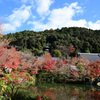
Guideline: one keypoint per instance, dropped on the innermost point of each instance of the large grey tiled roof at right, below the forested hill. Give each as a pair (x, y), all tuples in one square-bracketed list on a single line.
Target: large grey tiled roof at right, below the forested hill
[(90, 56)]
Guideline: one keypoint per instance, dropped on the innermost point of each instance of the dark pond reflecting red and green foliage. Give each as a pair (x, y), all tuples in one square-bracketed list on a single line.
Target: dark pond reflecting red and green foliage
[(69, 92)]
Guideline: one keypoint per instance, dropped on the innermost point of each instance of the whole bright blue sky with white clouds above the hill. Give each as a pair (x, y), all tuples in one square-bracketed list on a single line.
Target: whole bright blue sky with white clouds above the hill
[(38, 15)]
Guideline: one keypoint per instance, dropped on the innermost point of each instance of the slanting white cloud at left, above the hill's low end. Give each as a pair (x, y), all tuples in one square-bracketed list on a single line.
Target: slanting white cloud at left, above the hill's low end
[(18, 17)]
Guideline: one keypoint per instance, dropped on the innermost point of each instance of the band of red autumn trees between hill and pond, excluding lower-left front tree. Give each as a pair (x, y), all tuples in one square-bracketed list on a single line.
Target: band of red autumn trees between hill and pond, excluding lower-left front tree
[(14, 60)]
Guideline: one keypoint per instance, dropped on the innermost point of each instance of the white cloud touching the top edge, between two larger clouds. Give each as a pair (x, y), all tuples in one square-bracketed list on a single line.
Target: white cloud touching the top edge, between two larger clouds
[(43, 6)]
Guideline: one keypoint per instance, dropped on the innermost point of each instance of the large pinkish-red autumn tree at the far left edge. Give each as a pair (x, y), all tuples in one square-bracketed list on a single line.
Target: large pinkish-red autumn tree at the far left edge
[(9, 58)]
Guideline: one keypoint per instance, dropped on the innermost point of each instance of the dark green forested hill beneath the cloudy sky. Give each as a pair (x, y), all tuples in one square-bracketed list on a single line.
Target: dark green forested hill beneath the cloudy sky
[(84, 40)]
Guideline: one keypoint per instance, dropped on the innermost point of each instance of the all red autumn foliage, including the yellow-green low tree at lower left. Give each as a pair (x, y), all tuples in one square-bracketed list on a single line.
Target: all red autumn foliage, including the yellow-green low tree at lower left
[(20, 67)]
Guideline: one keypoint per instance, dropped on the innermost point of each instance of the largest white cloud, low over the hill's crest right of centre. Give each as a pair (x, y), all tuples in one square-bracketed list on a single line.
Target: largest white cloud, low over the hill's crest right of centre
[(62, 17)]
